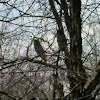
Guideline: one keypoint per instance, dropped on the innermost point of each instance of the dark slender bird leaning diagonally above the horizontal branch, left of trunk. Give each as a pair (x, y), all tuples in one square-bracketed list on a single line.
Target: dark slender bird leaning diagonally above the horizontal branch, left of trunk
[(39, 49)]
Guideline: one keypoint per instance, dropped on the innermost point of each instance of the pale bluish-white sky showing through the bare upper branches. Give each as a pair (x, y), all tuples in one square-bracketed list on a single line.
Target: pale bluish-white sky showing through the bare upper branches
[(36, 25)]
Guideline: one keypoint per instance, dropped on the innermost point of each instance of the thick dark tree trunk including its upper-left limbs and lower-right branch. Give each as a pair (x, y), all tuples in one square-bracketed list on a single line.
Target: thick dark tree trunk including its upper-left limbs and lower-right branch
[(76, 74)]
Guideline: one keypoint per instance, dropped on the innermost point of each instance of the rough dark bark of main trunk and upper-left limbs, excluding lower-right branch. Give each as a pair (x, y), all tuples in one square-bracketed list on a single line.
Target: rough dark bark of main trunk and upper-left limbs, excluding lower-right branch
[(76, 72)]
